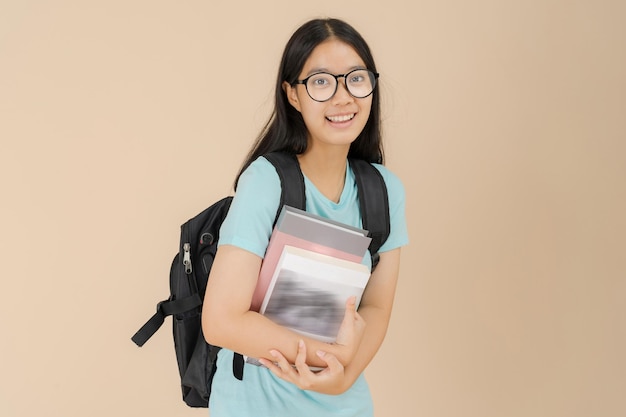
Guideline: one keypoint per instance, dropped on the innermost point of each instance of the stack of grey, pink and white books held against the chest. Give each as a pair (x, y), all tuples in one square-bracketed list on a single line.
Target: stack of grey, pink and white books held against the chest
[(311, 267)]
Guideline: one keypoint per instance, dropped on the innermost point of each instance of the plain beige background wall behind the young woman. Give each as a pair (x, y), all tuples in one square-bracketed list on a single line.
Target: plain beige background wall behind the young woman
[(505, 119)]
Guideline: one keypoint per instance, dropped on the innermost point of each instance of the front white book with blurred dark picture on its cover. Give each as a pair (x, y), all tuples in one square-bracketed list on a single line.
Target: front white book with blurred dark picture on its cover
[(308, 292)]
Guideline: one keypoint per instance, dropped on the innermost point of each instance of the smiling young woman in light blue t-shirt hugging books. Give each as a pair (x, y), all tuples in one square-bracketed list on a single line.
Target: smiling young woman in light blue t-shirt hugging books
[(327, 108)]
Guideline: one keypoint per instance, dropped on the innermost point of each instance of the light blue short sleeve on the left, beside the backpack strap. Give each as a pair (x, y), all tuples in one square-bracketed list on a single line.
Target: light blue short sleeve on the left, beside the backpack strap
[(249, 222)]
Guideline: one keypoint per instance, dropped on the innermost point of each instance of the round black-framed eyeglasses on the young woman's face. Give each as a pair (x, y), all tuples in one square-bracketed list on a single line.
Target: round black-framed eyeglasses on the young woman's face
[(322, 86)]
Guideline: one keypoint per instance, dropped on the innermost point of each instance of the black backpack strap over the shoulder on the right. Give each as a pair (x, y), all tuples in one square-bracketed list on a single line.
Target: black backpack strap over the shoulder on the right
[(374, 203)]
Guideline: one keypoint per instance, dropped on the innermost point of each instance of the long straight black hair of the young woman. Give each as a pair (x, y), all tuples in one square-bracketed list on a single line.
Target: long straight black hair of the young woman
[(285, 130)]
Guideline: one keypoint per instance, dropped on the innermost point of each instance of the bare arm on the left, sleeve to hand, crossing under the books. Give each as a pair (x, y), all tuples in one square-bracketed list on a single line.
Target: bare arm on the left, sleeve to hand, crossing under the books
[(228, 322)]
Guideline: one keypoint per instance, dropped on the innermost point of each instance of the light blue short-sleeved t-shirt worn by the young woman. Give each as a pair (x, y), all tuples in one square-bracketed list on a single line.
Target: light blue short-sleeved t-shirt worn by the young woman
[(248, 225)]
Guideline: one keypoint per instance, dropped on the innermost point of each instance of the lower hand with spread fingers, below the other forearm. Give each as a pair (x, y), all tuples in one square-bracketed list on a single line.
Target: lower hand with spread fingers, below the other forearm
[(330, 380)]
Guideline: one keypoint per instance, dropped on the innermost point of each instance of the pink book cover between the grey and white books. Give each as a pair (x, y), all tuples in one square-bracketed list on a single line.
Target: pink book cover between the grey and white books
[(275, 248)]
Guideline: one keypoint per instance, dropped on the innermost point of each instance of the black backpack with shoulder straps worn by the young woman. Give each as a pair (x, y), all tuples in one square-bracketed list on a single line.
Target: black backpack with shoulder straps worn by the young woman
[(191, 265)]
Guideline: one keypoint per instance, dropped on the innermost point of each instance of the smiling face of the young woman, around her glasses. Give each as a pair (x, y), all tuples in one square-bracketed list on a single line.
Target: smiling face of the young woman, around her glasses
[(341, 119)]
